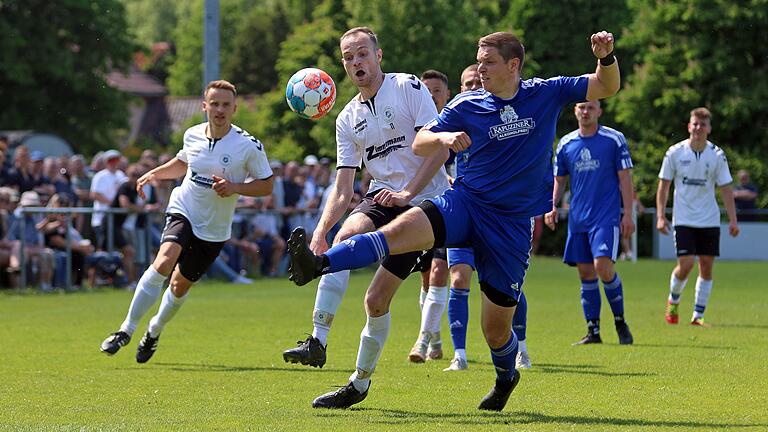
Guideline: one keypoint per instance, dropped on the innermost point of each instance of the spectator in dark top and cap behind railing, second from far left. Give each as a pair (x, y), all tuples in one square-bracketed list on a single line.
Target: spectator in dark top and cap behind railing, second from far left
[(55, 232)]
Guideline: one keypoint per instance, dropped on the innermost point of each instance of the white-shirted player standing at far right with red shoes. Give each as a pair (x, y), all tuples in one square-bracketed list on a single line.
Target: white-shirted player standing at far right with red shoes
[(696, 166)]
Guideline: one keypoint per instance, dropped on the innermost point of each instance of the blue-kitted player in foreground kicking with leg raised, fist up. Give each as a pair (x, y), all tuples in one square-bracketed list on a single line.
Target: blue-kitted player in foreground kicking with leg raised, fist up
[(508, 129)]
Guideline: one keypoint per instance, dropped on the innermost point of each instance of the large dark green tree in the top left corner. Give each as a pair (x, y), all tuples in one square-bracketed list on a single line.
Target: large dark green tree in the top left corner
[(54, 58)]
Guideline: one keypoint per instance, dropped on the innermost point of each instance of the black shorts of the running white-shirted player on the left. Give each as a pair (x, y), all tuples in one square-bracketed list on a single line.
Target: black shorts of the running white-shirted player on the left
[(196, 255)]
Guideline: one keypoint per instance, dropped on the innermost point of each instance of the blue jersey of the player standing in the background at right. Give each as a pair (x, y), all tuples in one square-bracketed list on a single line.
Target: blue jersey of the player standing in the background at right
[(593, 164)]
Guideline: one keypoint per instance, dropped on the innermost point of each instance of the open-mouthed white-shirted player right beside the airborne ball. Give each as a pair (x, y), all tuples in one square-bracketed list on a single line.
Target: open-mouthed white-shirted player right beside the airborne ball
[(377, 128)]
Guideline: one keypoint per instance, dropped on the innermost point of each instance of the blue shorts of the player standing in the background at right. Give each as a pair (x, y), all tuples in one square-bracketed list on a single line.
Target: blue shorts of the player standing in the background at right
[(585, 247)]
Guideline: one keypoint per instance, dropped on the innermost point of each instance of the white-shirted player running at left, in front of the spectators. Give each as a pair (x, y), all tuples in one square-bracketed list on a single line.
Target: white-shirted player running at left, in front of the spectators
[(221, 162)]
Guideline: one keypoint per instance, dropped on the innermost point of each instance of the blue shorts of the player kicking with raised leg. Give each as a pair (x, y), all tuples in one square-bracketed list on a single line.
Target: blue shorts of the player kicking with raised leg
[(501, 244)]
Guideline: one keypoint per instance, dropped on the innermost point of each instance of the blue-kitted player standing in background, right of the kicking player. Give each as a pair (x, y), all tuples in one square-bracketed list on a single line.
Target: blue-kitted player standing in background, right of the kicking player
[(598, 162)]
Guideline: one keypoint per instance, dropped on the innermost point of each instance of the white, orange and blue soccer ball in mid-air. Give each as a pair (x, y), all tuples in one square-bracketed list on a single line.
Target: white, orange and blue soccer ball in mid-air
[(310, 93)]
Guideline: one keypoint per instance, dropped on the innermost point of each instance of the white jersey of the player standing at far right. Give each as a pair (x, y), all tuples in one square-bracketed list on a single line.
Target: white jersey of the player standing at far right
[(695, 176)]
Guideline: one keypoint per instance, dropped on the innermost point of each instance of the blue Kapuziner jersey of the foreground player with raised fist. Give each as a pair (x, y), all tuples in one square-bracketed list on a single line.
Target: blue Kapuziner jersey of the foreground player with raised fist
[(508, 167)]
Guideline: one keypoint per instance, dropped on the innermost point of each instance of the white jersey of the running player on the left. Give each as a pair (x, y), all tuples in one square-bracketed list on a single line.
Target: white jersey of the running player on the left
[(236, 157)]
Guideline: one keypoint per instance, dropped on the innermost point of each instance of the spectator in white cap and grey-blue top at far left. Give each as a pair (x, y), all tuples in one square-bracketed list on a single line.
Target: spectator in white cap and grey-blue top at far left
[(39, 258)]
